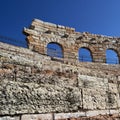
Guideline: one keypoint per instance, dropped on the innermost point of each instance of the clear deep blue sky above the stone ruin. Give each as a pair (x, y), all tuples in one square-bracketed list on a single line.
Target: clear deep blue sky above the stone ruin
[(94, 16)]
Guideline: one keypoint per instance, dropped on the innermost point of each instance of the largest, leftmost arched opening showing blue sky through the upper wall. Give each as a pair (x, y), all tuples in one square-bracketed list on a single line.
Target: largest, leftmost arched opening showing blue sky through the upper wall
[(54, 50)]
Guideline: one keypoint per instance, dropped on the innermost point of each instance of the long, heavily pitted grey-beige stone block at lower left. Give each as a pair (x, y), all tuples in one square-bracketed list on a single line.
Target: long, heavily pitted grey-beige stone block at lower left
[(20, 98)]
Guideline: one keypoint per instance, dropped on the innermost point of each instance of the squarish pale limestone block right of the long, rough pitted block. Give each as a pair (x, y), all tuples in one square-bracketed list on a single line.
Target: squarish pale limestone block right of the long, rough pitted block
[(94, 98)]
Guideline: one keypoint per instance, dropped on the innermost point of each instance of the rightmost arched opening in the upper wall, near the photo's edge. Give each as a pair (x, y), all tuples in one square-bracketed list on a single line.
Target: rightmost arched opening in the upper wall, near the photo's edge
[(111, 57)]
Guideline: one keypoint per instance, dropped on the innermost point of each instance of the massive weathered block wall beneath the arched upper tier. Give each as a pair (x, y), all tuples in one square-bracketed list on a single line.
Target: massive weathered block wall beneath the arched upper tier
[(31, 83)]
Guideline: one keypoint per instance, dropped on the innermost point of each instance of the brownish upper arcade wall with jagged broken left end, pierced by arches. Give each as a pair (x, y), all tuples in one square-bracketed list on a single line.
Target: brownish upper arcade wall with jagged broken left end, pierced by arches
[(40, 34)]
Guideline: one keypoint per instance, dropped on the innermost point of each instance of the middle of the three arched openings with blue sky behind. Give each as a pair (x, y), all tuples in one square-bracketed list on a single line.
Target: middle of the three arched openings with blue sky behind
[(85, 55)]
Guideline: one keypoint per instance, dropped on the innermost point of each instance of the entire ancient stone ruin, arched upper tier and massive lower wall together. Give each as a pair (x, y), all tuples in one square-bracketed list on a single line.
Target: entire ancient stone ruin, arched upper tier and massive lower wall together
[(35, 85)]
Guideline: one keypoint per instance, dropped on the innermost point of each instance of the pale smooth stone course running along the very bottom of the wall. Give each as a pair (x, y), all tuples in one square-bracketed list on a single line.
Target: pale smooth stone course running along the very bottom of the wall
[(66, 116)]
